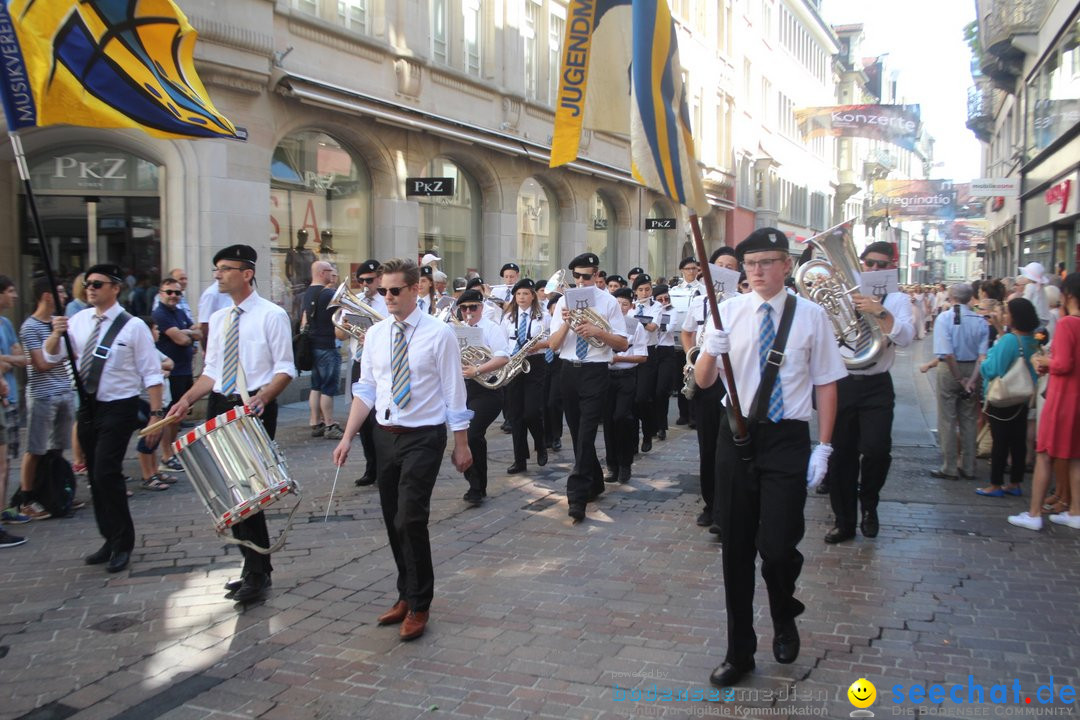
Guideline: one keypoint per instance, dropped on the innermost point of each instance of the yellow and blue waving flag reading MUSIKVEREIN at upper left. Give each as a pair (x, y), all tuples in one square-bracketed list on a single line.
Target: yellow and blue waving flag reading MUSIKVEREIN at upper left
[(104, 64)]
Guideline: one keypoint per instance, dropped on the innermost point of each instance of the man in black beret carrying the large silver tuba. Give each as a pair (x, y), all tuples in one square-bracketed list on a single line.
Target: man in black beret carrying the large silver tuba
[(866, 399)]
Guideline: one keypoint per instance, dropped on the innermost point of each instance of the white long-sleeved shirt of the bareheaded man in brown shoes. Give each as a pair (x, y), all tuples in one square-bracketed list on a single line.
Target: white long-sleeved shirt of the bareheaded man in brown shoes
[(438, 390)]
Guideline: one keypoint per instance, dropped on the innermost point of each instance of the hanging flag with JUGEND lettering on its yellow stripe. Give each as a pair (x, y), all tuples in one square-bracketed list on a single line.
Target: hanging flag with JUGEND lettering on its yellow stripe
[(644, 98)]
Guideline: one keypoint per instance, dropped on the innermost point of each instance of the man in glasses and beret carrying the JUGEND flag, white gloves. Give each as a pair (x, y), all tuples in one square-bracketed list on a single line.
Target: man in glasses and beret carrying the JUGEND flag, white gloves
[(762, 499)]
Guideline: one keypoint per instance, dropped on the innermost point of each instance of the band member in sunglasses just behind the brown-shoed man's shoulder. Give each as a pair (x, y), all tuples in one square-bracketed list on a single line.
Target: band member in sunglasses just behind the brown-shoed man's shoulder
[(484, 402)]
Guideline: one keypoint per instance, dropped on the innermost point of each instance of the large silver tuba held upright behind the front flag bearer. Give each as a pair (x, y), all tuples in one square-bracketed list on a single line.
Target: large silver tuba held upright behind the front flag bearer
[(830, 283)]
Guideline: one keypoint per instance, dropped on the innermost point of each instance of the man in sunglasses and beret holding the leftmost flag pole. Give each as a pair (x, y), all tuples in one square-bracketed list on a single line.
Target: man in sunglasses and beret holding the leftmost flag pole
[(115, 366)]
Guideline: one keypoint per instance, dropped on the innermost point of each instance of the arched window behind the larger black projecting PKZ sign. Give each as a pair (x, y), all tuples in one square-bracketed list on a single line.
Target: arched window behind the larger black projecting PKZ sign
[(451, 225)]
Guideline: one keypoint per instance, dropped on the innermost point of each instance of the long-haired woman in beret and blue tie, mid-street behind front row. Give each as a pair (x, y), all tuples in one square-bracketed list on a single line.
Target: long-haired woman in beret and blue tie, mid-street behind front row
[(524, 398)]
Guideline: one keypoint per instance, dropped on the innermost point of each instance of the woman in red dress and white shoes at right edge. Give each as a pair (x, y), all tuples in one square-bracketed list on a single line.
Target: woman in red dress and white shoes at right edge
[(1060, 424)]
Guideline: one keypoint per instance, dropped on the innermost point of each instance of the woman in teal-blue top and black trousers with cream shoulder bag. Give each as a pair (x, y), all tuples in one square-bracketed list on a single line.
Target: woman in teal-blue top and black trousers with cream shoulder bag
[(1009, 425)]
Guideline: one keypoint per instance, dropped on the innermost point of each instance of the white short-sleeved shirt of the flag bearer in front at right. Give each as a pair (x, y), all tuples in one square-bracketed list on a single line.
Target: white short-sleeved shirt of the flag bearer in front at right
[(811, 357)]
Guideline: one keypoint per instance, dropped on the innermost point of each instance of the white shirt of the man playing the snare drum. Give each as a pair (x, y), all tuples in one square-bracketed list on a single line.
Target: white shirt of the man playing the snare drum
[(266, 343)]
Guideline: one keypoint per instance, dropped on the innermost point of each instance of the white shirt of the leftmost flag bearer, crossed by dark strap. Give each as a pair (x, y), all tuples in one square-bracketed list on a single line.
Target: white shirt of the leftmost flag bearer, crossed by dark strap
[(133, 360)]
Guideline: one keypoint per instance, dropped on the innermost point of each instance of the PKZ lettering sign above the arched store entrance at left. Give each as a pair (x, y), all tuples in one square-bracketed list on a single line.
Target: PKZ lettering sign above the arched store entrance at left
[(97, 170)]
